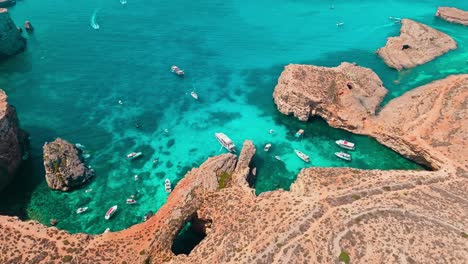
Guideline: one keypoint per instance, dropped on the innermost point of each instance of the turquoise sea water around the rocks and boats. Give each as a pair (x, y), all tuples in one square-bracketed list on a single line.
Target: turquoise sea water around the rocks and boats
[(67, 84)]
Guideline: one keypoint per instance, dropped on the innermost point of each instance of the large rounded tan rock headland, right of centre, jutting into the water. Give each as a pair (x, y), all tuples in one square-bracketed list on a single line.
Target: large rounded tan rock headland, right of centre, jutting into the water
[(336, 94)]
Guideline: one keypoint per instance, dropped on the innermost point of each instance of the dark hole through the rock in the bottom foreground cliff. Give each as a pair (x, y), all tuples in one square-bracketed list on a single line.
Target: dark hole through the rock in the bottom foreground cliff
[(190, 235)]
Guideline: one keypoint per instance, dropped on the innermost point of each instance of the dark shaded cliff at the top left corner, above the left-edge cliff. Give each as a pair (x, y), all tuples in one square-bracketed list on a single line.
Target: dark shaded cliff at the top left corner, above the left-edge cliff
[(11, 41)]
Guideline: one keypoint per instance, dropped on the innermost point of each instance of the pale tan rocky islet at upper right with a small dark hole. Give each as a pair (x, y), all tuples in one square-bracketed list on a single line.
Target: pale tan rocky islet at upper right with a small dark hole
[(416, 45)]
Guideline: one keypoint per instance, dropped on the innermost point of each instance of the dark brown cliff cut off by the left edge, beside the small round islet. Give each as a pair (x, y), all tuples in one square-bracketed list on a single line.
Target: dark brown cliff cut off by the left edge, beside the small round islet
[(13, 141)]
